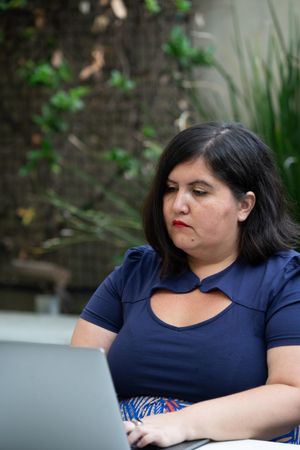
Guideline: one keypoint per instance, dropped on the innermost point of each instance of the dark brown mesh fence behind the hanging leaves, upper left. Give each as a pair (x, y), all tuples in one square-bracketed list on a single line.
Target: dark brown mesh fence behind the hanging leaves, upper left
[(78, 30)]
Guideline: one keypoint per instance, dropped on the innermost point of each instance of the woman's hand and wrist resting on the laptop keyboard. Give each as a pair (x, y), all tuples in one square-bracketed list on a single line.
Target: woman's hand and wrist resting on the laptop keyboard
[(161, 429)]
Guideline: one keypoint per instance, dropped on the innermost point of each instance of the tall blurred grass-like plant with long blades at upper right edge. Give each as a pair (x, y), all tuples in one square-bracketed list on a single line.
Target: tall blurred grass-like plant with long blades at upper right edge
[(274, 109)]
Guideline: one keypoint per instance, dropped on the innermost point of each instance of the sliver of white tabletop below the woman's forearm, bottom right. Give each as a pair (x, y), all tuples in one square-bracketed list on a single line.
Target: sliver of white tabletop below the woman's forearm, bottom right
[(247, 444)]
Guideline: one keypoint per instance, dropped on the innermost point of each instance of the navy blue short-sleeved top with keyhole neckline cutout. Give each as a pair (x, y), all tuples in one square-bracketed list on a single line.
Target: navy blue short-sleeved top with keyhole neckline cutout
[(219, 356)]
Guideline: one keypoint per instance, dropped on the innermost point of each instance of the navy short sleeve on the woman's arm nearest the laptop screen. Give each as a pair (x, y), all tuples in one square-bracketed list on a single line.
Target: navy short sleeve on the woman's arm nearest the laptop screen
[(105, 307)]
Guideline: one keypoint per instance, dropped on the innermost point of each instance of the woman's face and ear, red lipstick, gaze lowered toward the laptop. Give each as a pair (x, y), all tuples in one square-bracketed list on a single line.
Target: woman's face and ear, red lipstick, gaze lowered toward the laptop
[(201, 214)]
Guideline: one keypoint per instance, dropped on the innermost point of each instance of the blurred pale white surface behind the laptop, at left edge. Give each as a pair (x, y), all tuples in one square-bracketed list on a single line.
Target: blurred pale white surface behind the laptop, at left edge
[(34, 327)]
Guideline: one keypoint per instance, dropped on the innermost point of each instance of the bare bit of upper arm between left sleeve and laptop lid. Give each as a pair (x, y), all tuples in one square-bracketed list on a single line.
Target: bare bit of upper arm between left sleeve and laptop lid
[(86, 334)]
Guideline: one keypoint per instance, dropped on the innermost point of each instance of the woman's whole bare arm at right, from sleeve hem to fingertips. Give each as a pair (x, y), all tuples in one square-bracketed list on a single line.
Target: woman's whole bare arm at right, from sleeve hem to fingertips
[(261, 413)]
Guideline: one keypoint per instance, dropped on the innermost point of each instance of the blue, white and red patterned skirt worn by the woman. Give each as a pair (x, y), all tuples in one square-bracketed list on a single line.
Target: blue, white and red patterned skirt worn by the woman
[(139, 407)]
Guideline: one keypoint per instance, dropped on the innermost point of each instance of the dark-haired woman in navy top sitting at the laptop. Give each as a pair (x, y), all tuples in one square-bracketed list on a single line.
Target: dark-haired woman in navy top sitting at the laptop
[(204, 322)]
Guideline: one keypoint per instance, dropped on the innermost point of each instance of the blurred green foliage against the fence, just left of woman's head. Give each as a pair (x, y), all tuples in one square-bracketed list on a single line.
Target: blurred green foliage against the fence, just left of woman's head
[(121, 225)]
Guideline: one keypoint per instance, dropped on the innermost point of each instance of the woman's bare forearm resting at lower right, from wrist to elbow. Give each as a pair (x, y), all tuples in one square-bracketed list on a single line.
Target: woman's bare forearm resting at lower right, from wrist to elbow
[(261, 413)]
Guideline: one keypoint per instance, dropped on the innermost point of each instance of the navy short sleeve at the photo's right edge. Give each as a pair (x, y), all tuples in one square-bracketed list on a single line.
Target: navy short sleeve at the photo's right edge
[(283, 314)]
